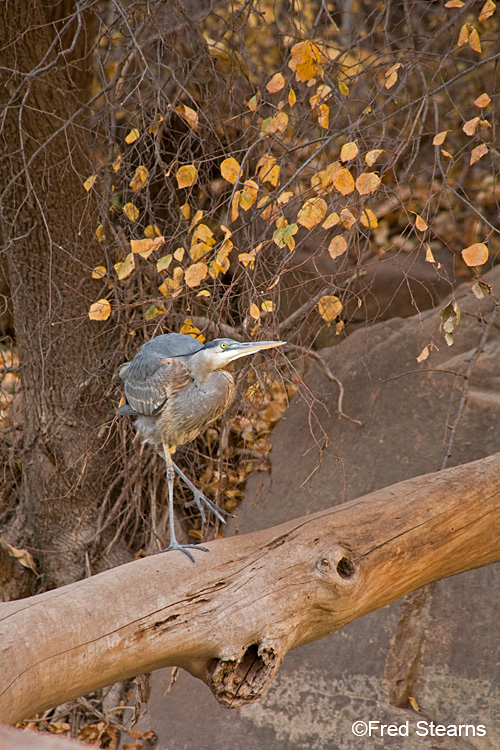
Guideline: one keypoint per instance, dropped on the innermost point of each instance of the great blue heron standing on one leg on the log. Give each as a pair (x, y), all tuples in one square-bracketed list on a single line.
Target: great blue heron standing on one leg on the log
[(175, 387)]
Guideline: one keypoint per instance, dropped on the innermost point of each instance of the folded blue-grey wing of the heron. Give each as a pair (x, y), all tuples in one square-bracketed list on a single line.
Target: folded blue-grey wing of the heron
[(151, 382)]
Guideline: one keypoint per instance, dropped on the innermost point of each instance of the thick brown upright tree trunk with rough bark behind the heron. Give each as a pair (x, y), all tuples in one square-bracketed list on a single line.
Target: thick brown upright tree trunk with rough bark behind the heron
[(48, 223)]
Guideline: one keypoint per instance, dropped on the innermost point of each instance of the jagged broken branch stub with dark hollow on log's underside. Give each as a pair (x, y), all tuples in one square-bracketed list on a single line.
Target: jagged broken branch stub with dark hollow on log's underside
[(235, 682)]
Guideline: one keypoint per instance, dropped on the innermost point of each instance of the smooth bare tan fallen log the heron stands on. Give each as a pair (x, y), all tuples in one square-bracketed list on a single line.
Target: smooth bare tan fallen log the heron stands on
[(231, 618)]
